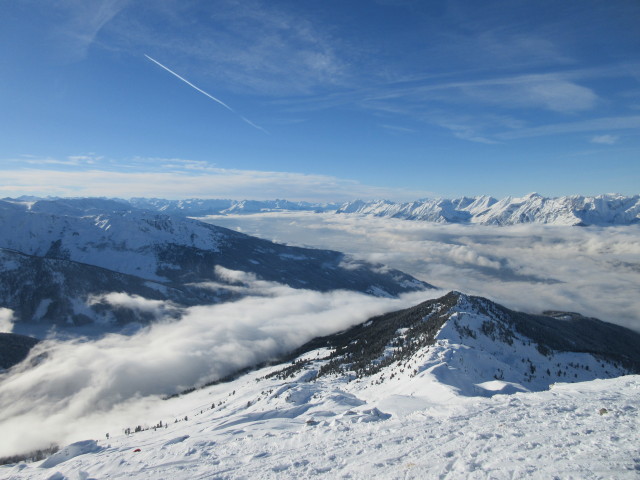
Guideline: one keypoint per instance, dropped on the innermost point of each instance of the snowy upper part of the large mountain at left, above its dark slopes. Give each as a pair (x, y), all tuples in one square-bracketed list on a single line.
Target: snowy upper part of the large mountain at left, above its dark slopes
[(83, 230)]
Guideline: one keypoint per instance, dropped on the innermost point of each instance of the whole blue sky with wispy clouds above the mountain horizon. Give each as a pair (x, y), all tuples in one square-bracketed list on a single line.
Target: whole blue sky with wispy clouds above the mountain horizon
[(327, 100)]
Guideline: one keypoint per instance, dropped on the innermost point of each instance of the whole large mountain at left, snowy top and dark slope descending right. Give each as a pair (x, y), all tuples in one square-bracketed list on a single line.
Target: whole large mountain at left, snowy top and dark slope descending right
[(57, 256)]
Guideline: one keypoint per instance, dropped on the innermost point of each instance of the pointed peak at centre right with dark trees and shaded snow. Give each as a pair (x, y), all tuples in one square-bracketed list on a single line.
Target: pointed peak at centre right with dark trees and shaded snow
[(466, 341)]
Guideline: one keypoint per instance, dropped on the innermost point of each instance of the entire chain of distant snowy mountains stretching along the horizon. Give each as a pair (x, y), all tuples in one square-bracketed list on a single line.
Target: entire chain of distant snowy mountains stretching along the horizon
[(601, 210)]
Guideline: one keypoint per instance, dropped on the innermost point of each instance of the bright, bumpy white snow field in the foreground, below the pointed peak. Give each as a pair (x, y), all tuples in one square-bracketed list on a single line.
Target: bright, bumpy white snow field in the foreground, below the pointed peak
[(306, 430)]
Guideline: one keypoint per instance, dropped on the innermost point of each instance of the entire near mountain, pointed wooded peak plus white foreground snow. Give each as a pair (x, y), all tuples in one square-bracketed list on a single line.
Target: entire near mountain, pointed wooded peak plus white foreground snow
[(452, 388)]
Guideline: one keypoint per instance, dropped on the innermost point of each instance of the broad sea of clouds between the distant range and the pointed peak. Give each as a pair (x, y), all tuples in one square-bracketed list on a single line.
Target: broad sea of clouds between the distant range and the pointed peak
[(594, 271)]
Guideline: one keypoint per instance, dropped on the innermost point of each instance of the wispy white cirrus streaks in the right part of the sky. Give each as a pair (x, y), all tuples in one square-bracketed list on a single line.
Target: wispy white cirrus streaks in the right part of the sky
[(518, 103)]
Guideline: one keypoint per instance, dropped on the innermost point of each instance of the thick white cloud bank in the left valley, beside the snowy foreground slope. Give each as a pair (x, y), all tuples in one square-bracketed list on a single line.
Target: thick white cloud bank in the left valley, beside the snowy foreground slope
[(73, 389)]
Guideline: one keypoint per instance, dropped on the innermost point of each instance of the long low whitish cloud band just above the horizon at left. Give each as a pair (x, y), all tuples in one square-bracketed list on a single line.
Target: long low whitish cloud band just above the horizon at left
[(188, 181)]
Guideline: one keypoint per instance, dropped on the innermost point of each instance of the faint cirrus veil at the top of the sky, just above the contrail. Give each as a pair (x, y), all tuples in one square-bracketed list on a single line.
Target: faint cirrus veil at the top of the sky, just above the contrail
[(252, 47)]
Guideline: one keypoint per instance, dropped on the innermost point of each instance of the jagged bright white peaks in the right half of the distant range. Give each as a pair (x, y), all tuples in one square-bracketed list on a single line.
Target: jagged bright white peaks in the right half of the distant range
[(533, 208)]
